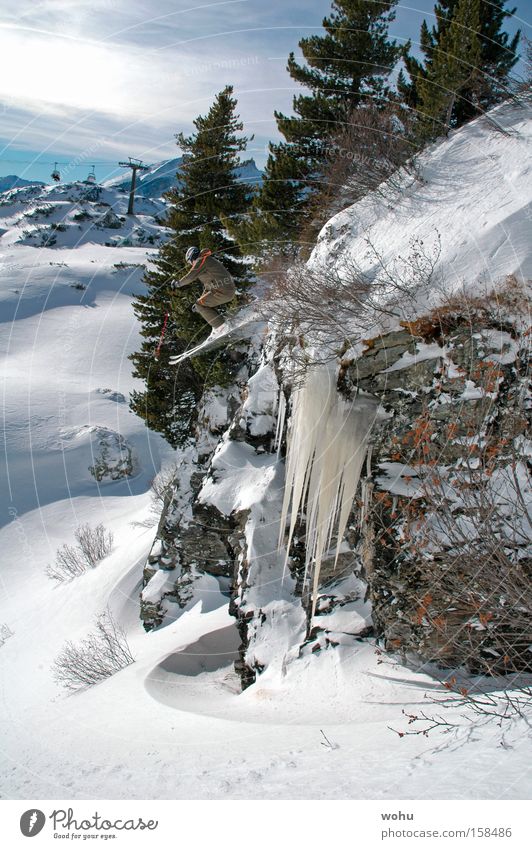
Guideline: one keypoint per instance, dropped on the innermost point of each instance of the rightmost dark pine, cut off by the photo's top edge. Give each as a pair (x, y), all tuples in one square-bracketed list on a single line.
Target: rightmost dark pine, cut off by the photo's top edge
[(498, 55)]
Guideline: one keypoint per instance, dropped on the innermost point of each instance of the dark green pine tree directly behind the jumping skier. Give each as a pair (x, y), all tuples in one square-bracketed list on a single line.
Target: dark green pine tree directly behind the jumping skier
[(208, 193)]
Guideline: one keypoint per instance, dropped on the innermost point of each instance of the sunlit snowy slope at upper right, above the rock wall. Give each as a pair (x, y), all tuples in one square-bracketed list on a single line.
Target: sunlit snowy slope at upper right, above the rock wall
[(469, 208)]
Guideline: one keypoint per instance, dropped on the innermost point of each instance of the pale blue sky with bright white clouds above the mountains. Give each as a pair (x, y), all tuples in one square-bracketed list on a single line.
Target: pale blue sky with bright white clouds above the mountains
[(86, 83)]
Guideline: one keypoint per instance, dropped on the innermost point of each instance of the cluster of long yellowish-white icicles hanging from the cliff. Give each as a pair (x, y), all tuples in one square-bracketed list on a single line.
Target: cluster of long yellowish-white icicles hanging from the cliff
[(327, 444)]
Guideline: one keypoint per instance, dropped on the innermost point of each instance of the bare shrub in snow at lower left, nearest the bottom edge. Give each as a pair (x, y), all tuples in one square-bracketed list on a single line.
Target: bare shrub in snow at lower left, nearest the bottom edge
[(101, 654)]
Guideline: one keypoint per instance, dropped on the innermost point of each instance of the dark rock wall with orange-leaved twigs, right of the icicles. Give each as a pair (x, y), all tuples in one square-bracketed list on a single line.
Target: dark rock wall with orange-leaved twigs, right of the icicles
[(445, 535)]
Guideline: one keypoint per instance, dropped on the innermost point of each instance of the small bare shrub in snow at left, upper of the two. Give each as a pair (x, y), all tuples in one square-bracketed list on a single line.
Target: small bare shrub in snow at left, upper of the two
[(71, 561)]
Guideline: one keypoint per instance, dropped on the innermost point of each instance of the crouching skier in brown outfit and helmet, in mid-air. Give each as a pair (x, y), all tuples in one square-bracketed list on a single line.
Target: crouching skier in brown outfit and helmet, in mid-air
[(218, 285)]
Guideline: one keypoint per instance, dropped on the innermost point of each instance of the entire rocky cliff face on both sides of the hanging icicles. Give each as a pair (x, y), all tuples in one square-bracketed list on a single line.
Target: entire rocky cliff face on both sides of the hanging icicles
[(433, 562)]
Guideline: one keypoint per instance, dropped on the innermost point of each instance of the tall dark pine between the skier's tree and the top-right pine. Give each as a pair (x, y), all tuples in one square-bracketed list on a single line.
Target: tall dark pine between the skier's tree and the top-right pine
[(345, 67)]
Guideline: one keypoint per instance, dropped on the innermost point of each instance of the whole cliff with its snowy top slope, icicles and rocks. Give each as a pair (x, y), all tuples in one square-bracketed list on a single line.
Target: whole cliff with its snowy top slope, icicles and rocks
[(452, 376)]
